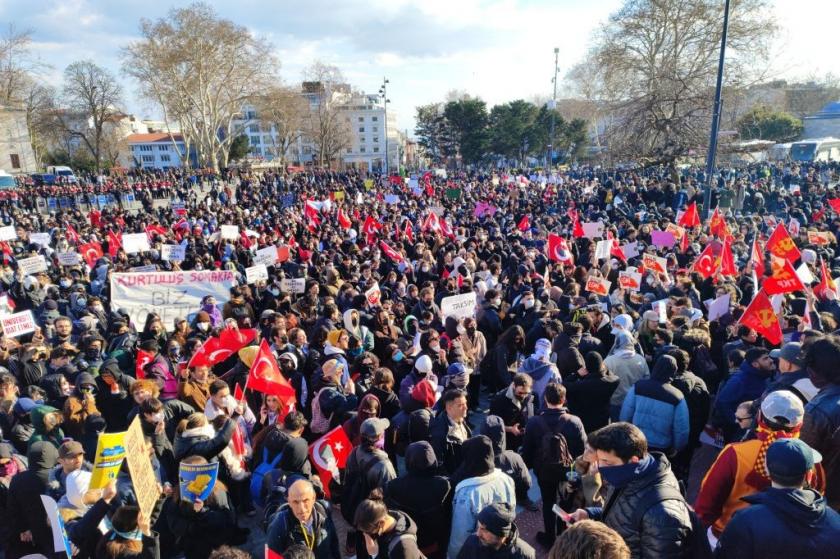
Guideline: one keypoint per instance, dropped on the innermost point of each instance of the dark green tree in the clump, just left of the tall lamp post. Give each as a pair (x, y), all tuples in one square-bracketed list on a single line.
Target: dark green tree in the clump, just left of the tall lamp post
[(512, 132)]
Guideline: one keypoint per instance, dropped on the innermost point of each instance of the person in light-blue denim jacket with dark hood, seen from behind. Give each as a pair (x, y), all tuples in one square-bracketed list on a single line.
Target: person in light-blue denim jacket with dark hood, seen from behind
[(474, 493)]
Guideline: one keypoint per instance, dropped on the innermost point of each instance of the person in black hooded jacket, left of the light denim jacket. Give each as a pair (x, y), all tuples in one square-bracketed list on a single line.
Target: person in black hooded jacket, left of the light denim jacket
[(425, 495)]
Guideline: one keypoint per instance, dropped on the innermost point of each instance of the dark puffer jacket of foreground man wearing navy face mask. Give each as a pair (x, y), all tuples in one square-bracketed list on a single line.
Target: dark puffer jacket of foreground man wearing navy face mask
[(664, 527)]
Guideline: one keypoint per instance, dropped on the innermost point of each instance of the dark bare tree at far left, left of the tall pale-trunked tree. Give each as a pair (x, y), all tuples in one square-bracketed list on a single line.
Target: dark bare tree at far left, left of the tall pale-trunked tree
[(91, 95)]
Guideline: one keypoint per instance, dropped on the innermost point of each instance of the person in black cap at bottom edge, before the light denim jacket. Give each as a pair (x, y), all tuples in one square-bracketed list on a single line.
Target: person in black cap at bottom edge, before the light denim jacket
[(497, 536)]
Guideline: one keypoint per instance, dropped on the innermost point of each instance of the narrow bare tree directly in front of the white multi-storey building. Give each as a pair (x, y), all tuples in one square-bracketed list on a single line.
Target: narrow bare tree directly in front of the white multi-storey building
[(326, 124)]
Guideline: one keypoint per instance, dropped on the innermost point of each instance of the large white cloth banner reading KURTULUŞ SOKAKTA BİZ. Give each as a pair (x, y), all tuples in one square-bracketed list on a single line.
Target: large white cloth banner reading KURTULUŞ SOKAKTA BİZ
[(169, 294)]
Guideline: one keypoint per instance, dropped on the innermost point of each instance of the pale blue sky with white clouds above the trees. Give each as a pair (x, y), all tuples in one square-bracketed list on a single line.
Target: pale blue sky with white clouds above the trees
[(499, 50)]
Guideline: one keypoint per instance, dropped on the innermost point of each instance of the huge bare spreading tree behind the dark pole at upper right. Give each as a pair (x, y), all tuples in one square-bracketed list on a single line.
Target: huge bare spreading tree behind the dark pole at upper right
[(653, 68)]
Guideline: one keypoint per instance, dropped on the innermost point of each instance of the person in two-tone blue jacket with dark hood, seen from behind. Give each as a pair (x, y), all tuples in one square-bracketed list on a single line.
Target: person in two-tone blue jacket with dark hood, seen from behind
[(658, 408)]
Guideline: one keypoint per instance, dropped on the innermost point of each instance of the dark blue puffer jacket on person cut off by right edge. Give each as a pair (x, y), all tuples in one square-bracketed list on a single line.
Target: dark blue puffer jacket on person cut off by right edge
[(821, 430)]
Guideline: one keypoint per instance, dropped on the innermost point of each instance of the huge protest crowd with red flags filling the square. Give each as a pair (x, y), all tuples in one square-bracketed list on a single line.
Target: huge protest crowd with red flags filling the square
[(616, 352)]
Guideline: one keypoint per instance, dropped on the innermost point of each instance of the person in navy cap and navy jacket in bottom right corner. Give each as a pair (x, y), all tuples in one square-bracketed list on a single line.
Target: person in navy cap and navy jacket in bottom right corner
[(788, 519)]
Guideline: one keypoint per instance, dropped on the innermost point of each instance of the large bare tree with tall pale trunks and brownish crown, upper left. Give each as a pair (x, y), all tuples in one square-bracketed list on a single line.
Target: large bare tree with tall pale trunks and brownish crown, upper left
[(201, 70)]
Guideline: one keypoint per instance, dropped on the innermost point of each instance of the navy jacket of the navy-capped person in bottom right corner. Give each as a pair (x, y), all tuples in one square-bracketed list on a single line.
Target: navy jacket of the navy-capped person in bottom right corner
[(782, 524)]
